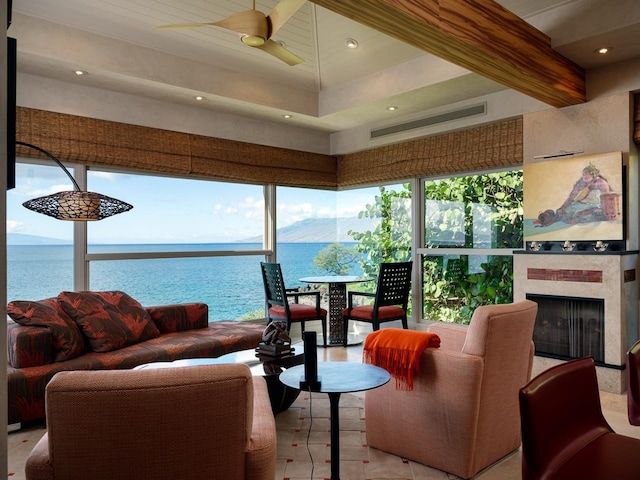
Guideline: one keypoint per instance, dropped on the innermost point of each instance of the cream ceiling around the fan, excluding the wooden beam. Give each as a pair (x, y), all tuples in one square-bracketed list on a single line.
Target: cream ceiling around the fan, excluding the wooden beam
[(336, 88)]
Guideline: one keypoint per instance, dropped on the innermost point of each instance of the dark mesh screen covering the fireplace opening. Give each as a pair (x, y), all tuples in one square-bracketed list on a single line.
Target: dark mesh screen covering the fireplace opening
[(569, 327)]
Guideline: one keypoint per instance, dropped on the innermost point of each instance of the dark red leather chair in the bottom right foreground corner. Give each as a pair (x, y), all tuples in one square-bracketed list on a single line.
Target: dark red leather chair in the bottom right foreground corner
[(564, 434)]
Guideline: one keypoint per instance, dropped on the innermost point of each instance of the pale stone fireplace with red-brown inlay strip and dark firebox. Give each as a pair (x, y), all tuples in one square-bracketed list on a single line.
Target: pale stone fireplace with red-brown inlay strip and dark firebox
[(598, 316)]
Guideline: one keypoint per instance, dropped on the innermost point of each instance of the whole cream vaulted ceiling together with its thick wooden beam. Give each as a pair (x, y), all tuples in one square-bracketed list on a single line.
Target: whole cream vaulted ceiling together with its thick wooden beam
[(415, 55)]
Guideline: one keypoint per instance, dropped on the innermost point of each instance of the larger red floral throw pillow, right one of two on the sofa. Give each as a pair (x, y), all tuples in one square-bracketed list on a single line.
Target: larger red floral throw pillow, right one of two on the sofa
[(109, 320)]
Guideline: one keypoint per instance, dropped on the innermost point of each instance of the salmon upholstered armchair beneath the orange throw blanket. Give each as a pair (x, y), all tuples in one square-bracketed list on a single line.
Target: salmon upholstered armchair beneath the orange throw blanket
[(463, 413)]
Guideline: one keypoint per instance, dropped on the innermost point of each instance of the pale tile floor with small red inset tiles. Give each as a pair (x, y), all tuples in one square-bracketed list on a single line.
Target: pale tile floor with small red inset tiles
[(358, 462)]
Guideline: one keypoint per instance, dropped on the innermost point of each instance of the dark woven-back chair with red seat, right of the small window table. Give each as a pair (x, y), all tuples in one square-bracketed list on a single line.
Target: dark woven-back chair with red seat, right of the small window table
[(390, 299)]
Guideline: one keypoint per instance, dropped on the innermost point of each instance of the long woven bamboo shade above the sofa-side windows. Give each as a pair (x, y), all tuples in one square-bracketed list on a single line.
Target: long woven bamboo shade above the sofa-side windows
[(111, 144)]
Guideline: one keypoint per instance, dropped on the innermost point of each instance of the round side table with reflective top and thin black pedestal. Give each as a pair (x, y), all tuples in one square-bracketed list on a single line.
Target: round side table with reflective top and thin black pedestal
[(337, 378)]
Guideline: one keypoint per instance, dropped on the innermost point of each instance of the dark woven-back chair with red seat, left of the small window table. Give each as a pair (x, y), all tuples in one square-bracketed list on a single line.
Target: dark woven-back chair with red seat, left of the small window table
[(278, 306)]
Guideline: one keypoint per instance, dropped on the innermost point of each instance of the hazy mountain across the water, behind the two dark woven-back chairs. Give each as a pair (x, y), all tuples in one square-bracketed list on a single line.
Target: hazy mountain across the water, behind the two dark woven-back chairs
[(320, 230)]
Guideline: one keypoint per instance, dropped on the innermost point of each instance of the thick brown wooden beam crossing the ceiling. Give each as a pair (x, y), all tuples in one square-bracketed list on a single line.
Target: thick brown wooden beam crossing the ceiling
[(479, 35)]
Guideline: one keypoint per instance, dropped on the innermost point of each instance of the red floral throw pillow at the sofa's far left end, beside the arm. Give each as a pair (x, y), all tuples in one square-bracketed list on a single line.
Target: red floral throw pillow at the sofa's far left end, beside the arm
[(67, 339)]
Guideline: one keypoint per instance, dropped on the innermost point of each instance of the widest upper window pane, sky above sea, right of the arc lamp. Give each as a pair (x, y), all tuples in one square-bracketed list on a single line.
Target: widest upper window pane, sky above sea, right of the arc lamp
[(176, 211)]
